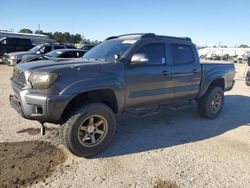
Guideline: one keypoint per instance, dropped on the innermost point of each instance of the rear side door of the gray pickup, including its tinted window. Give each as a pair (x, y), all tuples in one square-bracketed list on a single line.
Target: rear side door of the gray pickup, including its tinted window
[(185, 71)]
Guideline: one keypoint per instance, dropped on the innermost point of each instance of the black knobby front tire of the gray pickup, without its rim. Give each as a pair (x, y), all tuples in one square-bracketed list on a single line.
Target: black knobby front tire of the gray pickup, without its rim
[(70, 129)]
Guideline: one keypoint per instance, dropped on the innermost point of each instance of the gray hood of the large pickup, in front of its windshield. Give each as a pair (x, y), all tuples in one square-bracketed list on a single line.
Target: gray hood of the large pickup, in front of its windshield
[(56, 64)]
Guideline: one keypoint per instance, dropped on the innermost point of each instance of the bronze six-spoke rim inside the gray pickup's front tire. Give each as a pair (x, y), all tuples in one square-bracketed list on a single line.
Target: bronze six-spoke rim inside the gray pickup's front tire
[(92, 131)]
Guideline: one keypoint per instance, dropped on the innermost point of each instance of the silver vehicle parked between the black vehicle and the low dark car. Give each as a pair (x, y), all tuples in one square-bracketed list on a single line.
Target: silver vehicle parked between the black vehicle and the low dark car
[(16, 57)]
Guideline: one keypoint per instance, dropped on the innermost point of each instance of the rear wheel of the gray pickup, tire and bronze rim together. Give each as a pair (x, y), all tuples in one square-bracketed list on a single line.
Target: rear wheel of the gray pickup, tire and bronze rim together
[(211, 104)]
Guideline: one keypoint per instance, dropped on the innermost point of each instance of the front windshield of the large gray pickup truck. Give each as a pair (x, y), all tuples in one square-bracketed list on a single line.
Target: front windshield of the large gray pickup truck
[(108, 49)]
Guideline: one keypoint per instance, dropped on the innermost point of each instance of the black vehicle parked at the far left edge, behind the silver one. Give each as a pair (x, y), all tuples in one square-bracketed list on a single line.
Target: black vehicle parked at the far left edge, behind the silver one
[(13, 44)]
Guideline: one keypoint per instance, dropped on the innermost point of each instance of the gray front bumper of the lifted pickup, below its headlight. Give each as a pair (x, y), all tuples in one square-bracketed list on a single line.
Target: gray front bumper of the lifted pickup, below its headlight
[(37, 106)]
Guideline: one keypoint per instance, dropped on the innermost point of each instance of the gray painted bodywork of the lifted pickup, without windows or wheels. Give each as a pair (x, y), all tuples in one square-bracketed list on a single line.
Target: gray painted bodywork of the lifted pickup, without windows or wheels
[(133, 85)]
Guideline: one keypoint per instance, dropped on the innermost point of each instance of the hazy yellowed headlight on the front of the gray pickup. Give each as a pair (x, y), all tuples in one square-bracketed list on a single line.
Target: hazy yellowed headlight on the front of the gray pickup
[(40, 80)]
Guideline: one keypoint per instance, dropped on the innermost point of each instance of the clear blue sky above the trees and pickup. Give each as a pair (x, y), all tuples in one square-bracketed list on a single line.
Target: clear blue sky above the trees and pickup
[(207, 22)]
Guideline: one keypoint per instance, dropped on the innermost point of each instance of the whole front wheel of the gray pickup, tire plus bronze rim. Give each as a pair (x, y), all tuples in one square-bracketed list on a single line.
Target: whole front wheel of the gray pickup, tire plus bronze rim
[(89, 130)]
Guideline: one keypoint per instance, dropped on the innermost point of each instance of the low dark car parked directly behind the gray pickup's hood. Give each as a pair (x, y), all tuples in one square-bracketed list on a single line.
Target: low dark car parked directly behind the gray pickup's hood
[(61, 53)]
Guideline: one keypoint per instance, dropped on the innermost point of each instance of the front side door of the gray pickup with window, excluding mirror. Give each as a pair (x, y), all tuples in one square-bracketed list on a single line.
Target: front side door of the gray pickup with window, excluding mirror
[(148, 83)]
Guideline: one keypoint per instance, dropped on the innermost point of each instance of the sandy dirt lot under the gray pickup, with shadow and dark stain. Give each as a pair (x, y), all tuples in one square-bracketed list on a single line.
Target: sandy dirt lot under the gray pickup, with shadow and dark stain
[(171, 149)]
